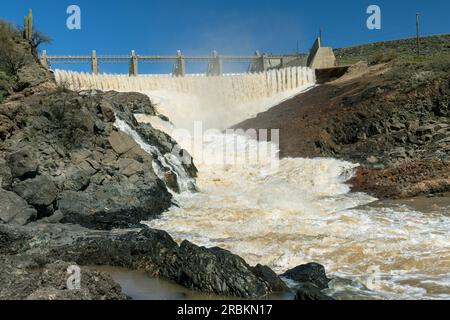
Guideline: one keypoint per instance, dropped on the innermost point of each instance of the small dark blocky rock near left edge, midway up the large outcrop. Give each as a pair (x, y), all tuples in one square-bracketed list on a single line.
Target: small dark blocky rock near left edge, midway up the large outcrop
[(23, 162)]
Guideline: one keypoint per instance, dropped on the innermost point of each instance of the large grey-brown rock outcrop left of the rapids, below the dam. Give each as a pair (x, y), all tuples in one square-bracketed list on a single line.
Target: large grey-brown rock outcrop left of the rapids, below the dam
[(67, 155)]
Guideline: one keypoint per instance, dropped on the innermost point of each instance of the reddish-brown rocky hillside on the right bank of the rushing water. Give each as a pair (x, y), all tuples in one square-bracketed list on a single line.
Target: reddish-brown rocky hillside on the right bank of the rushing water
[(382, 116)]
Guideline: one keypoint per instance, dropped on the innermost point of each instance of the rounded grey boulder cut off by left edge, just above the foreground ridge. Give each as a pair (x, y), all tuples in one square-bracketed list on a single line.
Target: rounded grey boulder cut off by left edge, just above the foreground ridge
[(15, 210)]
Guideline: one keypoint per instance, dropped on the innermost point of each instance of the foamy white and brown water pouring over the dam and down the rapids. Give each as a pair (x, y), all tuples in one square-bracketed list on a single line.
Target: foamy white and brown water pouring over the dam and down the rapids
[(290, 211)]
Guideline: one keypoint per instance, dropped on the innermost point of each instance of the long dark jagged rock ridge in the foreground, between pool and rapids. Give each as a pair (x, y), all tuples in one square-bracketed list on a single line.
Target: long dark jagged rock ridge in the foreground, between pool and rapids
[(208, 270)]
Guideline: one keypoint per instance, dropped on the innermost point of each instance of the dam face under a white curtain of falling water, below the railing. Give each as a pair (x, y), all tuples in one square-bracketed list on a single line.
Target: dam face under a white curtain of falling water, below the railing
[(218, 101)]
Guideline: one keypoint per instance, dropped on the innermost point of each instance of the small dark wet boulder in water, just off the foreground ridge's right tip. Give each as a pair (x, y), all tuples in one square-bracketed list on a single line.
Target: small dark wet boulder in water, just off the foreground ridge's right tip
[(309, 273)]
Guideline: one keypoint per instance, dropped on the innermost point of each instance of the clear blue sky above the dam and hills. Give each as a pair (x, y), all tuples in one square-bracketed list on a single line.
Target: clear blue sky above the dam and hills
[(229, 26)]
